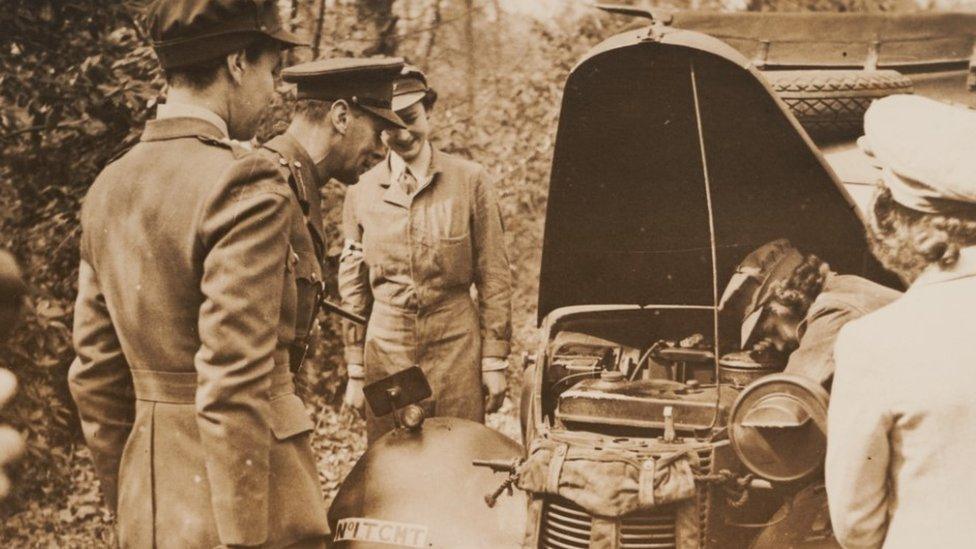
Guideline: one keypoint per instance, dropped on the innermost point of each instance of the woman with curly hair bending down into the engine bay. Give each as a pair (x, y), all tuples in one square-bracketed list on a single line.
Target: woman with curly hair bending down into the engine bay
[(795, 306)]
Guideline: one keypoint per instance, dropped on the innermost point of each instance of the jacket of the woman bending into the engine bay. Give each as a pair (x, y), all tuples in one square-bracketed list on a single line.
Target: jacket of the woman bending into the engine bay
[(843, 299)]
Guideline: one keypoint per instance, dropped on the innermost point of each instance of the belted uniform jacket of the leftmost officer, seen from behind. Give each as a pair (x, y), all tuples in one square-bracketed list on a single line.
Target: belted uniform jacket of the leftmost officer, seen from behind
[(186, 306)]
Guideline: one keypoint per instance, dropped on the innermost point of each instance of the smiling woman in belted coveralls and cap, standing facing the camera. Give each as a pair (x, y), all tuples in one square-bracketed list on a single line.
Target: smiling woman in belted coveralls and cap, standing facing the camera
[(420, 229)]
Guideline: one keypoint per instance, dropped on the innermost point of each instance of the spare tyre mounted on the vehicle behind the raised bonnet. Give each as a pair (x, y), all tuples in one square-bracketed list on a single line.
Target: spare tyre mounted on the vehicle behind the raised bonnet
[(830, 104)]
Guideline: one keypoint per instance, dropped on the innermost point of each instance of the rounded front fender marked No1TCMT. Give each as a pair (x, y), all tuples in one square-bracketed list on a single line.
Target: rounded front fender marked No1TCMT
[(420, 489)]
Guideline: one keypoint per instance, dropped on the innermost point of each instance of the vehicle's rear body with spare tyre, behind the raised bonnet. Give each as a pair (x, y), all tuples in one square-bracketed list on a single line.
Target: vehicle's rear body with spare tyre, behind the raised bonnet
[(930, 54)]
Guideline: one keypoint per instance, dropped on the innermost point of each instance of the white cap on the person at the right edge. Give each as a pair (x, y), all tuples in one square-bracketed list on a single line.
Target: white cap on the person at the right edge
[(926, 149)]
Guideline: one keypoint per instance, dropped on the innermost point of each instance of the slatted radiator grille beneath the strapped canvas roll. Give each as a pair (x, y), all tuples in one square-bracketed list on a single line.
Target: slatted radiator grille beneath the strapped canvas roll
[(565, 525)]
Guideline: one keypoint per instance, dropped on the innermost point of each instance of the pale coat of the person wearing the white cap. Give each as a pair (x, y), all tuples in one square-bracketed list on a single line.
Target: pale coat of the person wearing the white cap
[(902, 418)]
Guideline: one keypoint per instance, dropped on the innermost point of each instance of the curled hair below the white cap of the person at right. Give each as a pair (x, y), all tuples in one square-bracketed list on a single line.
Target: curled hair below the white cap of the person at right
[(907, 241)]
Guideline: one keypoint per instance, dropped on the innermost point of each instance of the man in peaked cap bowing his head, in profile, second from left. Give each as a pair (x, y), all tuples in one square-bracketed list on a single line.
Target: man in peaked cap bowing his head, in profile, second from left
[(343, 105)]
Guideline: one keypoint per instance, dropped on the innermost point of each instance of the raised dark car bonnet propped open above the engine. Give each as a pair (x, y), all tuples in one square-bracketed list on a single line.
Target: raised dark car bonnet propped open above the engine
[(673, 160)]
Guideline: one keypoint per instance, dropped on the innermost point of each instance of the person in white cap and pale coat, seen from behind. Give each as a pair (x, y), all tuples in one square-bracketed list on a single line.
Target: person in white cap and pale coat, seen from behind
[(902, 418)]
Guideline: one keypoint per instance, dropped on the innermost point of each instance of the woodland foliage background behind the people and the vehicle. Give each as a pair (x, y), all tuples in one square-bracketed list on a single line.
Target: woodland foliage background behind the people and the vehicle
[(78, 80)]
